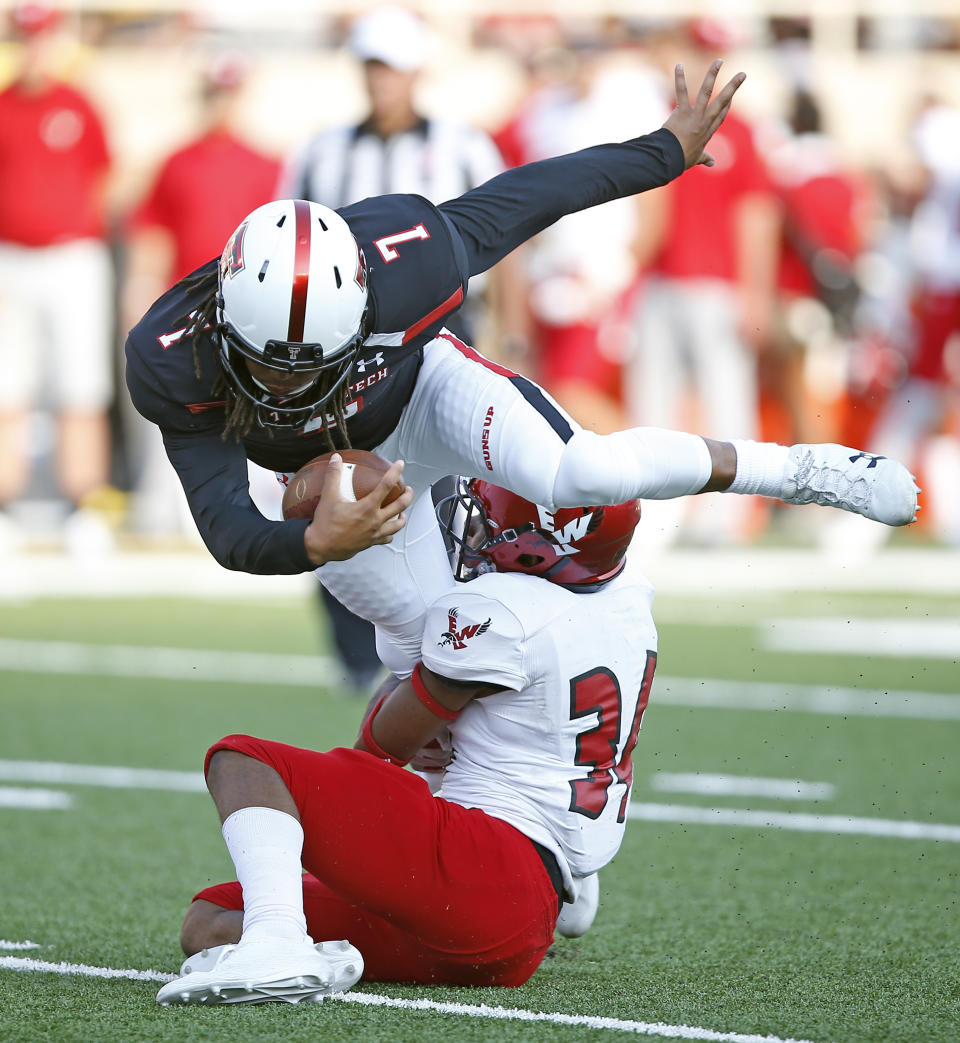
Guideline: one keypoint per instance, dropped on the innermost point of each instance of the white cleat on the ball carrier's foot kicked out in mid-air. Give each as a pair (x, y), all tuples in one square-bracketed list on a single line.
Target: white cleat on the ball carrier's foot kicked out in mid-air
[(836, 476)]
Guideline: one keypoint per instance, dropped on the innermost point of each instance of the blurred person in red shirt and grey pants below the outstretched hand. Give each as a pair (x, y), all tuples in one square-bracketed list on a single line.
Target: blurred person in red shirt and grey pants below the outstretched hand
[(710, 244)]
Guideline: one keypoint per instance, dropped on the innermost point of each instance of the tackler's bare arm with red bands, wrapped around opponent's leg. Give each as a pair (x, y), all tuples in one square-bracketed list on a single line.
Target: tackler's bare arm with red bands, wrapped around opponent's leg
[(400, 724)]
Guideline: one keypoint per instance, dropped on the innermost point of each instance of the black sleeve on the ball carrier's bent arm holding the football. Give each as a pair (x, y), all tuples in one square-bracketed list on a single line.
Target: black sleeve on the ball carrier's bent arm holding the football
[(214, 477)]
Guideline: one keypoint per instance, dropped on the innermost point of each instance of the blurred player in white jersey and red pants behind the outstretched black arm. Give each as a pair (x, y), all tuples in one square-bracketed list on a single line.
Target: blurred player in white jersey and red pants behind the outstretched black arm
[(582, 270)]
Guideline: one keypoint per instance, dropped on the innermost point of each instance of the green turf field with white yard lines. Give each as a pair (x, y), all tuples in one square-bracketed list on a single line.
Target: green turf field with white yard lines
[(735, 926)]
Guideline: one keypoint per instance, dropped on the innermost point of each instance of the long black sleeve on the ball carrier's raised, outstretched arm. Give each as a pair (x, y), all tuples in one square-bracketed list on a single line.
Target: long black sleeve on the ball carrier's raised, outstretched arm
[(496, 217)]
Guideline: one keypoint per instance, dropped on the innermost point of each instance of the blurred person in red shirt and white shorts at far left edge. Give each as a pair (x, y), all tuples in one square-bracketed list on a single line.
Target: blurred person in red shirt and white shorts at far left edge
[(56, 282)]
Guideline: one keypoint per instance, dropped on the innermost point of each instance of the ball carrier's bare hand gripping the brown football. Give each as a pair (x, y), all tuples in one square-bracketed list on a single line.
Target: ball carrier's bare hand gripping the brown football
[(343, 528)]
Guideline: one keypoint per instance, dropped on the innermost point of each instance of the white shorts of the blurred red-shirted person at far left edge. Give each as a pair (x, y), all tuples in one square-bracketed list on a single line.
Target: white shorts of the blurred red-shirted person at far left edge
[(56, 323)]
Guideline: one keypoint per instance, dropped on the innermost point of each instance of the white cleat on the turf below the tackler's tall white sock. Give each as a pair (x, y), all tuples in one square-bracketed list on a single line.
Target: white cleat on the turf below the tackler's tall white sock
[(266, 973)]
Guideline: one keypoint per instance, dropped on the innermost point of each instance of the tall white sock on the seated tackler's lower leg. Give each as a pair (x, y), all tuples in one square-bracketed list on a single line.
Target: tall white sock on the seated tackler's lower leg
[(267, 847)]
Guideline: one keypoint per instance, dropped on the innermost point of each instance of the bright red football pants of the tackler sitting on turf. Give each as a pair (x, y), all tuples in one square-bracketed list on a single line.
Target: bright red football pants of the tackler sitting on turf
[(428, 891)]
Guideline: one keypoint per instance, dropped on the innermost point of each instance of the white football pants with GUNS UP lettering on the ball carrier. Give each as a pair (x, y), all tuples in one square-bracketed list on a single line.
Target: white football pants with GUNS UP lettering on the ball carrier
[(467, 419)]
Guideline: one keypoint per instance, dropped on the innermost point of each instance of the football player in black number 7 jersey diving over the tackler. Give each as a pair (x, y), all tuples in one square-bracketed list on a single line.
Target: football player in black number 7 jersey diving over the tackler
[(319, 330)]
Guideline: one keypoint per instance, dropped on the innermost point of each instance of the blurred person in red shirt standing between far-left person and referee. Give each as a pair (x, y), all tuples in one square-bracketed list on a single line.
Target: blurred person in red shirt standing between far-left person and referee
[(197, 198)]
